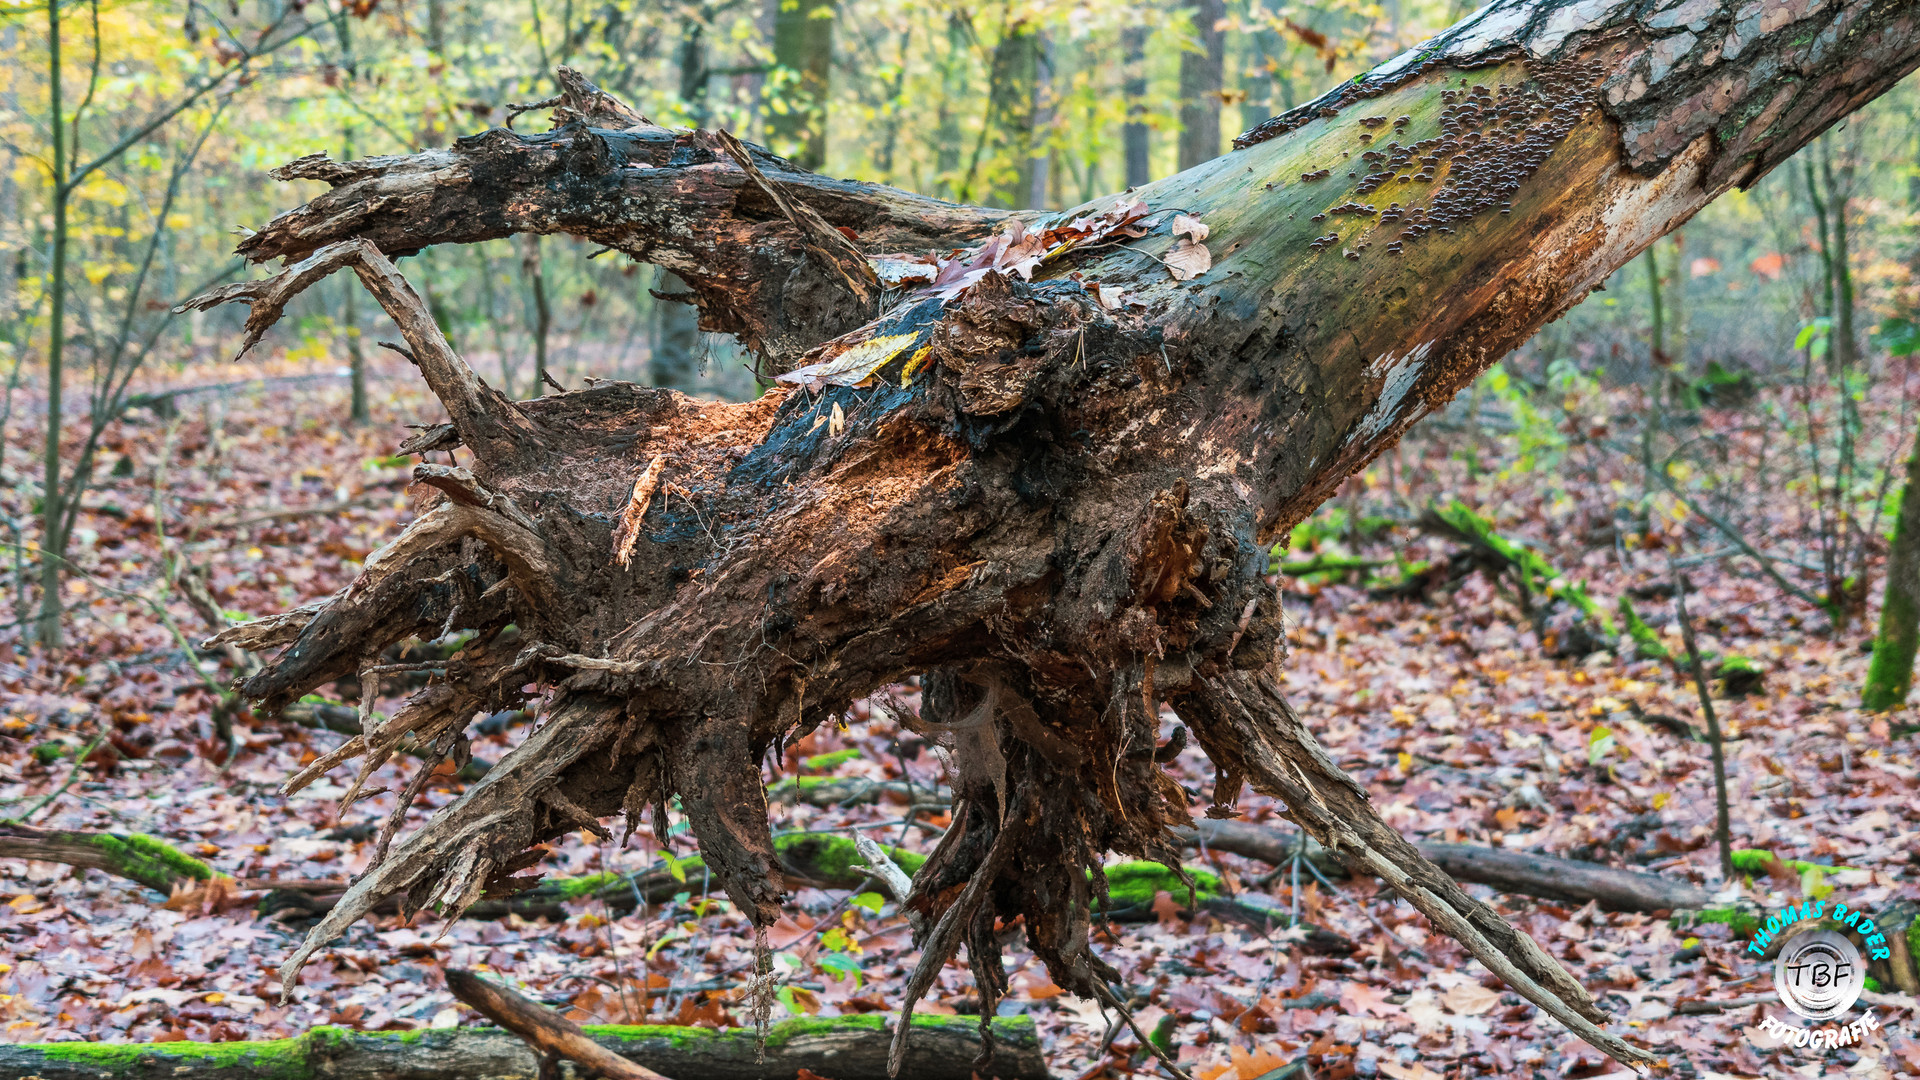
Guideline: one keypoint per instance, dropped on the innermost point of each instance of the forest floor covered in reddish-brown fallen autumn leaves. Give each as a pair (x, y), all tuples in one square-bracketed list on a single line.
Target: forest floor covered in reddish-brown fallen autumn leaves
[(1443, 704)]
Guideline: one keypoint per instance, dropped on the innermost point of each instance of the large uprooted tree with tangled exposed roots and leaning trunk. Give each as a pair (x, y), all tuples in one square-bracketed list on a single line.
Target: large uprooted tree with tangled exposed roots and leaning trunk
[(1061, 501)]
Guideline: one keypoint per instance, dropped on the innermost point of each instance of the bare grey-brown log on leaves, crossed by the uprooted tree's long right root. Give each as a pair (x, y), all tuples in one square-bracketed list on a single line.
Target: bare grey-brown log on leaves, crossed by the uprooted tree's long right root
[(1547, 877)]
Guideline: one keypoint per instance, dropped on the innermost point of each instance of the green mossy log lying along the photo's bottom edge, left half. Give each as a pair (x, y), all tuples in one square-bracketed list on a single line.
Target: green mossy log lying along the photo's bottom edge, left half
[(844, 1048)]
